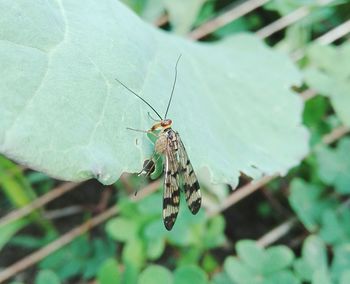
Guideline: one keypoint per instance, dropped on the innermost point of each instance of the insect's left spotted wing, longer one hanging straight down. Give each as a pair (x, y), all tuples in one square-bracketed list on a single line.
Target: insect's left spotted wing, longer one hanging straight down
[(171, 198)]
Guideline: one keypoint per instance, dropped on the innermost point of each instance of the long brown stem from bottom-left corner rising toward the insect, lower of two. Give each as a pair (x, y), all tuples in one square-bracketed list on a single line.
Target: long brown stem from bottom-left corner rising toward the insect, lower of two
[(65, 239)]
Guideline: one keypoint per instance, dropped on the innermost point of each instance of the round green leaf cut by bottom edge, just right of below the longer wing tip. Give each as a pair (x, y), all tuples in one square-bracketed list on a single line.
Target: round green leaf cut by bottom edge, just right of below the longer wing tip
[(190, 274)]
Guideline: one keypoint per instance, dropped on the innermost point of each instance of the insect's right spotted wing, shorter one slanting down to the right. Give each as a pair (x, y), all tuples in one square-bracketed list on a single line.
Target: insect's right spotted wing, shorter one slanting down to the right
[(189, 179)]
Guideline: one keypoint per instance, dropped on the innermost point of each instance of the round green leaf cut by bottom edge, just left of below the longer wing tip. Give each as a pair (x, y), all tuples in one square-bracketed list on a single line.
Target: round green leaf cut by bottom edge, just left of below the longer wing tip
[(155, 274)]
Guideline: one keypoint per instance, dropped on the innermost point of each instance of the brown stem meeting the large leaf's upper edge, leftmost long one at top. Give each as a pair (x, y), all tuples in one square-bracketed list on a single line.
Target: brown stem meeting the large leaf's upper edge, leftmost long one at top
[(225, 18)]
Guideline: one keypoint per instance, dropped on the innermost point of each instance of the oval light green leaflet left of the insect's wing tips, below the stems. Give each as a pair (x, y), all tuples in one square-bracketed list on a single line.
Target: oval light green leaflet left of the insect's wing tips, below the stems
[(122, 229)]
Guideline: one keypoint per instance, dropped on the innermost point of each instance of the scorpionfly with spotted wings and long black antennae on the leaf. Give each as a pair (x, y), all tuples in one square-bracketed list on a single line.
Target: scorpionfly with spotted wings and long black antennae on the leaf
[(178, 170)]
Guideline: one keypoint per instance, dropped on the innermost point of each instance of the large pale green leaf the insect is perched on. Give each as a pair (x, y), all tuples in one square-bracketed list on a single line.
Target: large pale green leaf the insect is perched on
[(63, 113)]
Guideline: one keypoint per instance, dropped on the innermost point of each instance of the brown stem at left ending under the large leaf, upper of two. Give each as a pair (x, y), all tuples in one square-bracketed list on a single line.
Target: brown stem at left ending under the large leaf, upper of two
[(39, 202)]
